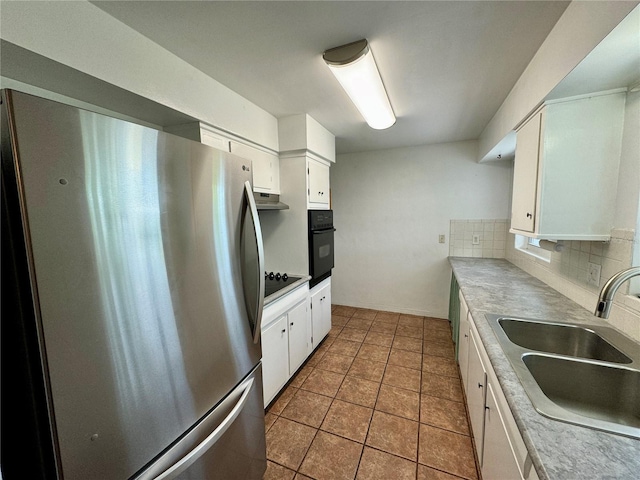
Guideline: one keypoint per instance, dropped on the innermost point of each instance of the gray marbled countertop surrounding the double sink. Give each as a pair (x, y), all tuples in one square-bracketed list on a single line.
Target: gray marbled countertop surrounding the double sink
[(559, 451)]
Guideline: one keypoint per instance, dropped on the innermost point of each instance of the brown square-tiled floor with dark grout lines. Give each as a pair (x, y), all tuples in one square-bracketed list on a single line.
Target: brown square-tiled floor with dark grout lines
[(379, 399)]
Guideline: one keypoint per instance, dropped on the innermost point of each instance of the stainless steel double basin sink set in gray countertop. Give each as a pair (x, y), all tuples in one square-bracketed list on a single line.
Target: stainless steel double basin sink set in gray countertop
[(587, 375)]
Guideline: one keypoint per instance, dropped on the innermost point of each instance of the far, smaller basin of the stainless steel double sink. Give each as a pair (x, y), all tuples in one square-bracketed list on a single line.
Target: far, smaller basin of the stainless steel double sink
[(563, 339)]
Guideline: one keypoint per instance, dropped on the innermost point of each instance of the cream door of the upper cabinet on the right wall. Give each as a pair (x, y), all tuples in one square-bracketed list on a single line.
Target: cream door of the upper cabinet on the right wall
[(525, 175)]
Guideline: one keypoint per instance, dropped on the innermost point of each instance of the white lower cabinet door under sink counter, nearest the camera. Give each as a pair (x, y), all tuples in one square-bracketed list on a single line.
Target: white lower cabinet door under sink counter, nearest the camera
[(499, 461)]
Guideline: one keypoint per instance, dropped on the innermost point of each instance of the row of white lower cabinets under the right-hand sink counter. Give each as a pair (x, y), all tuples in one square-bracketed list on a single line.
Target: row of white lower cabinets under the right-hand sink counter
[(501, 451)]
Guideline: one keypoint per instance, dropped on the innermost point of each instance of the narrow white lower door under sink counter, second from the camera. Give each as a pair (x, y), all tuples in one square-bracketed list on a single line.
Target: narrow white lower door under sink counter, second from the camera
[(477, 378)]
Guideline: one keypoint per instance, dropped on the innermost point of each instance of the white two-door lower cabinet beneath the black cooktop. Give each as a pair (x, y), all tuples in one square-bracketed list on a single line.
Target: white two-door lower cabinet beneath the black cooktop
[(286, 338)]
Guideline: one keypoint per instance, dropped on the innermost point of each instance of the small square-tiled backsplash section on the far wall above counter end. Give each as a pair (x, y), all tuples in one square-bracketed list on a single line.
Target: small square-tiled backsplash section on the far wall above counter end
[(490, 238)]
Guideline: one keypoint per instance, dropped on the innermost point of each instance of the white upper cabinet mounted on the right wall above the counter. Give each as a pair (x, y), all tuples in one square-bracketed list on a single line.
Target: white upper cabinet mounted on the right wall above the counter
[(566, 168)]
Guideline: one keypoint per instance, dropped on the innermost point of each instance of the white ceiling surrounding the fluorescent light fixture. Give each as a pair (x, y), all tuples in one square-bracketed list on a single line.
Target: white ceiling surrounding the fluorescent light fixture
[(447, 65)]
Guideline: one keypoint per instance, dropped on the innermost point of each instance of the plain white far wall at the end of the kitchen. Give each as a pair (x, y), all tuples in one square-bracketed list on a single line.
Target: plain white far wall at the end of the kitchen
[(390, 206)]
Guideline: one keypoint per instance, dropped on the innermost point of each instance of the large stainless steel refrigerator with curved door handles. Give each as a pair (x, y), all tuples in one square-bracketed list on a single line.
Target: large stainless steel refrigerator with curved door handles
[(132, 293)]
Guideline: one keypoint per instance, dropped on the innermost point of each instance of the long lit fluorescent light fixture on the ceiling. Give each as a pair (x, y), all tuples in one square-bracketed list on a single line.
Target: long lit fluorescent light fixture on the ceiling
[(354, 67)]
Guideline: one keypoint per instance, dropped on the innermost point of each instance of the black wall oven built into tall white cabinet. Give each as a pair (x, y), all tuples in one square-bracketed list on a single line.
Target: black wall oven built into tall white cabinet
[(320, 245)]
